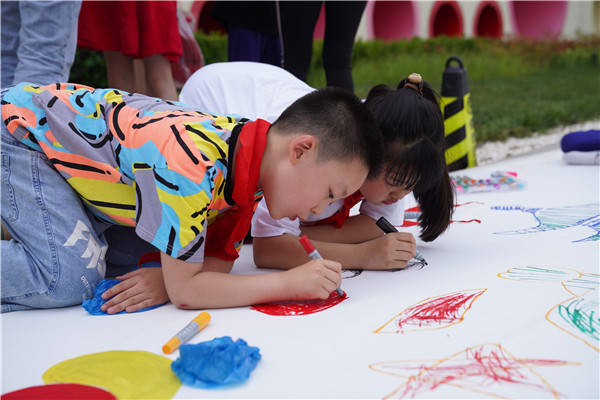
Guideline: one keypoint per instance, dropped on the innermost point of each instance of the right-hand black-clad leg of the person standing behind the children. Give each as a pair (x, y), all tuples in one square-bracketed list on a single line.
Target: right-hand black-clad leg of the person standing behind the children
[(341, 23)]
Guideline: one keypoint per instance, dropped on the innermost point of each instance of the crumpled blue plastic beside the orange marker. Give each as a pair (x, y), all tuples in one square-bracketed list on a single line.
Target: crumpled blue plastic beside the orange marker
[(215, 363)]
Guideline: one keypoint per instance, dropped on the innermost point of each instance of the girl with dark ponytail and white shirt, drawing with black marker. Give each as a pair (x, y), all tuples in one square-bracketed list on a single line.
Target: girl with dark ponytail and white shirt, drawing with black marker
[(412, 125)]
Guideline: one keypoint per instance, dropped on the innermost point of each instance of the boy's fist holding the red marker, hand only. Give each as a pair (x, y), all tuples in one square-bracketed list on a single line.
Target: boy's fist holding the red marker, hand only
[(315, 279)]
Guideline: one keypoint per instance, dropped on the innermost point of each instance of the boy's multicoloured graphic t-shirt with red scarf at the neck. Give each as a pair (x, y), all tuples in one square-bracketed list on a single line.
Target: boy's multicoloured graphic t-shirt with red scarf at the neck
[(158, 165)]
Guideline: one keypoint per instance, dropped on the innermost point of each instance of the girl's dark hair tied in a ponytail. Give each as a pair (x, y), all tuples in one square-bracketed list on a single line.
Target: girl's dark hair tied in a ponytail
[(412, 126)]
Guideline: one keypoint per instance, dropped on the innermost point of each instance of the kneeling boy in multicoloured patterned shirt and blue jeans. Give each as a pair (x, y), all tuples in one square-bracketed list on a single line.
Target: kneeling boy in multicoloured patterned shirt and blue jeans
[(77, 160)]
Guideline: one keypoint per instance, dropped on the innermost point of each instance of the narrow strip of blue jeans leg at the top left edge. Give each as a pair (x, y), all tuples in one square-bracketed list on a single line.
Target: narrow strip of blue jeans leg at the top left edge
[(11, 24)]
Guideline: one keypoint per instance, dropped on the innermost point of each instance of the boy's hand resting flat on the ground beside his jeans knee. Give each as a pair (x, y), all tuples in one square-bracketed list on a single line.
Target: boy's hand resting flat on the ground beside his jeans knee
[(139, 289)]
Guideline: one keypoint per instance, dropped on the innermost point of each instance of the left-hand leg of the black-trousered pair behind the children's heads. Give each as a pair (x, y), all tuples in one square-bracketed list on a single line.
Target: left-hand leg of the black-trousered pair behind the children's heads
[(298, 20)]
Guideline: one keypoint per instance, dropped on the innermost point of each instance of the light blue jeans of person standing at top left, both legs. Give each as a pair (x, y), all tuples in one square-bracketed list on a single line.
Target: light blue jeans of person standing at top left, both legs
[(39, 39)]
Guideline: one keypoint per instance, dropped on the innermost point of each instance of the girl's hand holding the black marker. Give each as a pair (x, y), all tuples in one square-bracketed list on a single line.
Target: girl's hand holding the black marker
[(390, 251)]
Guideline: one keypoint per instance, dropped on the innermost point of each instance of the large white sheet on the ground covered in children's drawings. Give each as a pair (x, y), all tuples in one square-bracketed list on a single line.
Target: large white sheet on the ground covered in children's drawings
[(492, 315)]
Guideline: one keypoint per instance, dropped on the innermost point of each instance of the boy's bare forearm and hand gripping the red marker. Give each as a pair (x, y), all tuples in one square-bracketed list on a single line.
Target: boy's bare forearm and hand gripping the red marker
[(191, 286)]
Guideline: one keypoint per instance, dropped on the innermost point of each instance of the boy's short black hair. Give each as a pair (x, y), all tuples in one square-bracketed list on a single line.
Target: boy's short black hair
[(344, 127)]
